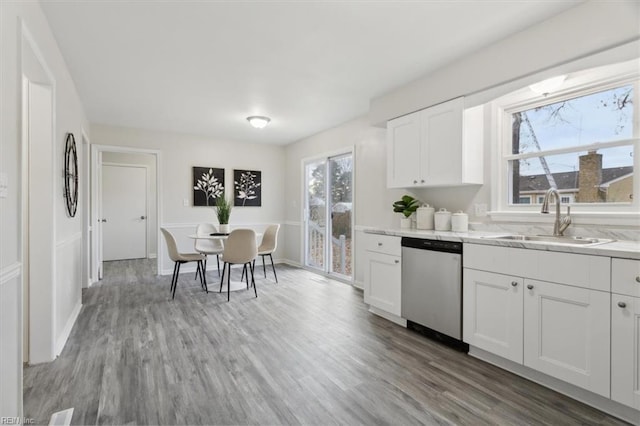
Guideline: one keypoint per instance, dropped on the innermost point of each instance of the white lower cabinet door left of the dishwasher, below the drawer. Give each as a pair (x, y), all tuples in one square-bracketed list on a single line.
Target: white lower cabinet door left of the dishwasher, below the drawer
[(382, 282)]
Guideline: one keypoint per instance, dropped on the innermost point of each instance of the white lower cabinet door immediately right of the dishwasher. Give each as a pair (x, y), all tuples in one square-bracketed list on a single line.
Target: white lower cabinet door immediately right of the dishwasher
[(492, 306)]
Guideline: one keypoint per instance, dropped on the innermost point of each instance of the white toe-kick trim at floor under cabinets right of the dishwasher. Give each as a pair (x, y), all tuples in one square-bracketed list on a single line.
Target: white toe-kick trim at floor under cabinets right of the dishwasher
[(601, 403)]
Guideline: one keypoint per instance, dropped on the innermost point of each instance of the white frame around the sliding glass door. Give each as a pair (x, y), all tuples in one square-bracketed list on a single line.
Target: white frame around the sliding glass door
[(303, 206)]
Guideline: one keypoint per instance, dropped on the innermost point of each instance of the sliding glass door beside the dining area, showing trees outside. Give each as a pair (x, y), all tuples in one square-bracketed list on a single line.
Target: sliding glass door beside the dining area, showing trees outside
[(328, 214)]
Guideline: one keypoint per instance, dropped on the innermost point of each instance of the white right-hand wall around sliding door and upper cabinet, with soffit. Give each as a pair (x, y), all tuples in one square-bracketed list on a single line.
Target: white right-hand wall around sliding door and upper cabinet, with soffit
[(576, 33)]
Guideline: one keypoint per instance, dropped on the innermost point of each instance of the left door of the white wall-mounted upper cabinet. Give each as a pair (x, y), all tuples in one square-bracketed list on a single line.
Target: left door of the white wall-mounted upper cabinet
[(403, 151)]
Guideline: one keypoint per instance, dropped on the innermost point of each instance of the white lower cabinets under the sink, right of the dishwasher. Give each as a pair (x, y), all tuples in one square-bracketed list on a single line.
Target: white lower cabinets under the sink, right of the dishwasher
[(556, 313)]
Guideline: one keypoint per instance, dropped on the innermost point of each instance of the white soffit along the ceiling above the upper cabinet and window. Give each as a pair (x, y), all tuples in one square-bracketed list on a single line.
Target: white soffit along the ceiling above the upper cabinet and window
[(579, 32)]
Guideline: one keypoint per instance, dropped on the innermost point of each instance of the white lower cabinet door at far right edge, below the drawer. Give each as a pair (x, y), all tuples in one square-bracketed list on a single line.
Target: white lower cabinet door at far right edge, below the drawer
[(625, 350)]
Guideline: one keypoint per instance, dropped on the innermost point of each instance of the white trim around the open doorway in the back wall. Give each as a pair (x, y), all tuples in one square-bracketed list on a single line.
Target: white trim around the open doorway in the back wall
[(96, 243)]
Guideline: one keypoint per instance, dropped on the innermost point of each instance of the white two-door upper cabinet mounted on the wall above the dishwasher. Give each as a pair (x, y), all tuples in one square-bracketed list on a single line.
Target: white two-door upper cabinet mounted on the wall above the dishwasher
[(437, 146)]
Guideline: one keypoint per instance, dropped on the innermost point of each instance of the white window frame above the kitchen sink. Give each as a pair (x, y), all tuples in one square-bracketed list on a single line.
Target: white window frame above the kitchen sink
[(579, 84)]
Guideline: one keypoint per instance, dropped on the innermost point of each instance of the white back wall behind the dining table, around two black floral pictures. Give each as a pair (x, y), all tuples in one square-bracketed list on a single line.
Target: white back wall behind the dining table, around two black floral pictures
[(179, 154)]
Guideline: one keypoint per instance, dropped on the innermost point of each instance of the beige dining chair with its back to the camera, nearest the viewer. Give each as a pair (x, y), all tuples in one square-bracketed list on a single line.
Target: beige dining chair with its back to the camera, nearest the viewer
[(240, 248)]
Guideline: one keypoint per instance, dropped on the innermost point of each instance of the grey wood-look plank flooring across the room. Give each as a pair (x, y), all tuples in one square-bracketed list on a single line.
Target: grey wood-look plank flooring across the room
[(306, 351)]
